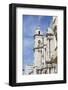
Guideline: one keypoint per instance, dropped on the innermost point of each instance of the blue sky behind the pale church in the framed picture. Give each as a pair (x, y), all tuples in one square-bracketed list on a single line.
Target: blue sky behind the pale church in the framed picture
[(30, 22)]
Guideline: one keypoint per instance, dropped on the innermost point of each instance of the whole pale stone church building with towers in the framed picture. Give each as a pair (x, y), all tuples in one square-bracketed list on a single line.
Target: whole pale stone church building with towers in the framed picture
[(45, 50)]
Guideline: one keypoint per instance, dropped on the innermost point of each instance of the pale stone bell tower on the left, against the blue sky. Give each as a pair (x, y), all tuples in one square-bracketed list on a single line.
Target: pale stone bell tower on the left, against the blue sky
[(38, 40)]
